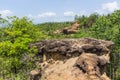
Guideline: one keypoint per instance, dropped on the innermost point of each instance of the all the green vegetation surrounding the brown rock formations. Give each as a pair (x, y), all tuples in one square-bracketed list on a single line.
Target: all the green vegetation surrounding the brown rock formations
[(16, 34)]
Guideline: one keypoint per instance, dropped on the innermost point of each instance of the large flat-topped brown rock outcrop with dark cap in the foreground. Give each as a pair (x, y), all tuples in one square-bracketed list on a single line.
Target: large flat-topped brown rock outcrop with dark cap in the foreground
[(74, 59)]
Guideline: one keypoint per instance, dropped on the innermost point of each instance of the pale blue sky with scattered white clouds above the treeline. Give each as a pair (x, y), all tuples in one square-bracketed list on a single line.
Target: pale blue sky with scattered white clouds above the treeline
[(56, 10)]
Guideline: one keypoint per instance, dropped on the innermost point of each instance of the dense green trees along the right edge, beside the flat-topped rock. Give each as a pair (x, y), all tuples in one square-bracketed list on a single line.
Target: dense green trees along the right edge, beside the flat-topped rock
[(108, 28)]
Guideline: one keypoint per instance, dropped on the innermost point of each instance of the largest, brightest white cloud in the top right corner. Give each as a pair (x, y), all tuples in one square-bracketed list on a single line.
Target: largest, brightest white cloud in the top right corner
[(111, 6)]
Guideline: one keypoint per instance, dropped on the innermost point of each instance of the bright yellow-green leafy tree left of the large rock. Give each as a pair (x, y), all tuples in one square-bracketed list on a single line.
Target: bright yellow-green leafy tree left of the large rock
[(14, 42)]
